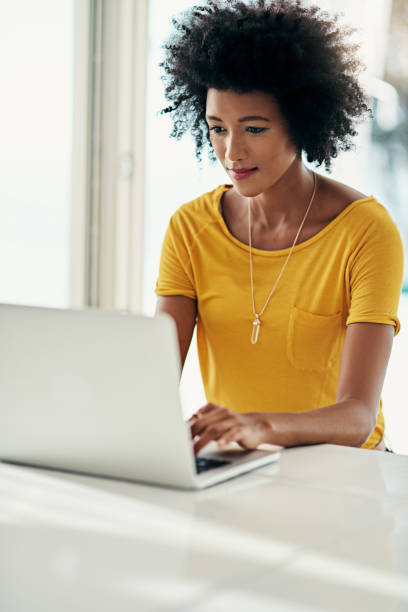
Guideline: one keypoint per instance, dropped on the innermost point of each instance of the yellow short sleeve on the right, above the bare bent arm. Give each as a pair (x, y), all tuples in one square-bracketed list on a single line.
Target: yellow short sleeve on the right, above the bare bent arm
[(376, 274)]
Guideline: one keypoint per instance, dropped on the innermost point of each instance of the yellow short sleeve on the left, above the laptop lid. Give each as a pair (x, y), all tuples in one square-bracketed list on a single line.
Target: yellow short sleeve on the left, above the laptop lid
[(175, 272)]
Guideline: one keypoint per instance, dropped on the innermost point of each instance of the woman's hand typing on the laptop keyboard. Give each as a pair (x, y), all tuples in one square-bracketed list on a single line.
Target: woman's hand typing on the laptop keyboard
[(214, 422)]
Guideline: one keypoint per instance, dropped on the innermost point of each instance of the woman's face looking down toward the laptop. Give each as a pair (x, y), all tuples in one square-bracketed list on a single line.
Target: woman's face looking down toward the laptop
[(248, 132)]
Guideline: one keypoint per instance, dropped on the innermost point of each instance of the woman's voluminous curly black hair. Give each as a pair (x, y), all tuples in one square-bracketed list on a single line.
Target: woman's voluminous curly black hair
[(298, 54)]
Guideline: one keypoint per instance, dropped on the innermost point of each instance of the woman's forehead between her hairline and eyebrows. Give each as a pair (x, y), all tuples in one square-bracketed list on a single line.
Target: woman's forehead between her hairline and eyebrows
[(232, 104)]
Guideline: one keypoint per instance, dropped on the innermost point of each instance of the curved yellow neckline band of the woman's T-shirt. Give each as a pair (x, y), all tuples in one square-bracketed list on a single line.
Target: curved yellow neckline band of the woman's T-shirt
[(281, 252)]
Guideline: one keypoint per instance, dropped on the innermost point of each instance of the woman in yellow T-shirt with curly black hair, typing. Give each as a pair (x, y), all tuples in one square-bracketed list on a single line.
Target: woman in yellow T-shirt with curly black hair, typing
[(292, 278)]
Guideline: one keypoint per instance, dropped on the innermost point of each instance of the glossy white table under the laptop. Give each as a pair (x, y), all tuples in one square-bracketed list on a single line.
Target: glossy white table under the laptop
[(325, 529)]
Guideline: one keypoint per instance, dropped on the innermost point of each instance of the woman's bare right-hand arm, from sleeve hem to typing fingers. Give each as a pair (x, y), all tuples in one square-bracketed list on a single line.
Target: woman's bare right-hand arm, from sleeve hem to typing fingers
[(349, 421)]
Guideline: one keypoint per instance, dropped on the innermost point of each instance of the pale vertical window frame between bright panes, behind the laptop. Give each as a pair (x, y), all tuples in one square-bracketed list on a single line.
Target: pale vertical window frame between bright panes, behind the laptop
[(108, 157)]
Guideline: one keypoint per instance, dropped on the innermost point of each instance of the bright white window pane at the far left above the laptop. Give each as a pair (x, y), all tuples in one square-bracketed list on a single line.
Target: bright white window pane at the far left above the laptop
[(36, 64)]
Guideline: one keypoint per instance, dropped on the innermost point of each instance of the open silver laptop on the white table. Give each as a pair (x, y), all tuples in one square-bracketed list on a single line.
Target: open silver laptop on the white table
[(97, 392)]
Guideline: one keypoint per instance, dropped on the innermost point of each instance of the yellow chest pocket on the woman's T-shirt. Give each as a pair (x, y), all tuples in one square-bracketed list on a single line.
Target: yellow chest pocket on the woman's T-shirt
[(313, 340)]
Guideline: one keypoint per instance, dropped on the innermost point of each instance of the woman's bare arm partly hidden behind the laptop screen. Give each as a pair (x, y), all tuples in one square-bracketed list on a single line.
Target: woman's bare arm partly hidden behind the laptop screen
[(184, 312)]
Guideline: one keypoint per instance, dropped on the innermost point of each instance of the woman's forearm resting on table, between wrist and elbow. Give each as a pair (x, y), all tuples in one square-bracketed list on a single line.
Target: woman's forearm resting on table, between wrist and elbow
[(348, 423)]
